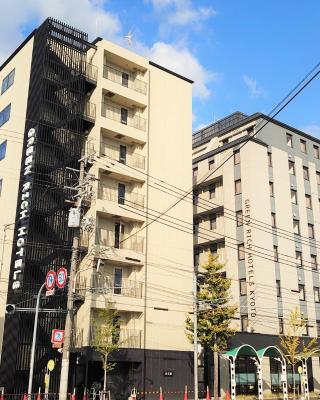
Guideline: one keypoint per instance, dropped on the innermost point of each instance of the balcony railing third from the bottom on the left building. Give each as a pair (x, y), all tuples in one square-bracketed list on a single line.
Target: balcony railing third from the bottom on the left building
[(128, 242)]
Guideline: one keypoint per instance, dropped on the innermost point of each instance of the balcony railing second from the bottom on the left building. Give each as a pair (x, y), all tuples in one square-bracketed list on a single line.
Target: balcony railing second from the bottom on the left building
[(127, 288)]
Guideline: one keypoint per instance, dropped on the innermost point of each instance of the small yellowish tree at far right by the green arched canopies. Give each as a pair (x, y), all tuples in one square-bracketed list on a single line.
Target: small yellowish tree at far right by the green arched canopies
[(292, 344)]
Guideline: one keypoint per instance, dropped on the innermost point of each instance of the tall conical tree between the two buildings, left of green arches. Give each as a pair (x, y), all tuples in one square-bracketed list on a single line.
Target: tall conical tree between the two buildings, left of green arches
[(215, 313)]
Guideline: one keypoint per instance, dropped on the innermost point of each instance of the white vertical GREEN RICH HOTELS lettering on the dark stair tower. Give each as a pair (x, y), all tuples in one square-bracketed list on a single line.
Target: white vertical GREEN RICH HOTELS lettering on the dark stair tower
[(23, 212)]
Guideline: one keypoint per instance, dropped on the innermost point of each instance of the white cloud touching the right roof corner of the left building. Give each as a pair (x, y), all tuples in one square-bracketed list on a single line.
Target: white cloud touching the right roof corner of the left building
[(182, 61)]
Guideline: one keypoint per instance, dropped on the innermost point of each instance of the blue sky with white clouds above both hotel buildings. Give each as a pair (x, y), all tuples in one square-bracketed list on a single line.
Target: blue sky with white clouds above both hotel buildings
[(243, 55)]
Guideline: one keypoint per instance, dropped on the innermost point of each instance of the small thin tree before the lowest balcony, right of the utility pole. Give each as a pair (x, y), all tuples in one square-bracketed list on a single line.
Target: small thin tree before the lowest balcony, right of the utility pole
[(105, 339)]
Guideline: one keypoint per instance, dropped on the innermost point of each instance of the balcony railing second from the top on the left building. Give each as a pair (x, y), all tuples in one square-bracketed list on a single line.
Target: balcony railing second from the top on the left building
[(117, 113)]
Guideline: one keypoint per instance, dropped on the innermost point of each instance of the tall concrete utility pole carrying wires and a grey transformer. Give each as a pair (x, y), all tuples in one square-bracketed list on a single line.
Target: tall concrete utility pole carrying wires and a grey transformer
[(68, 330)]
